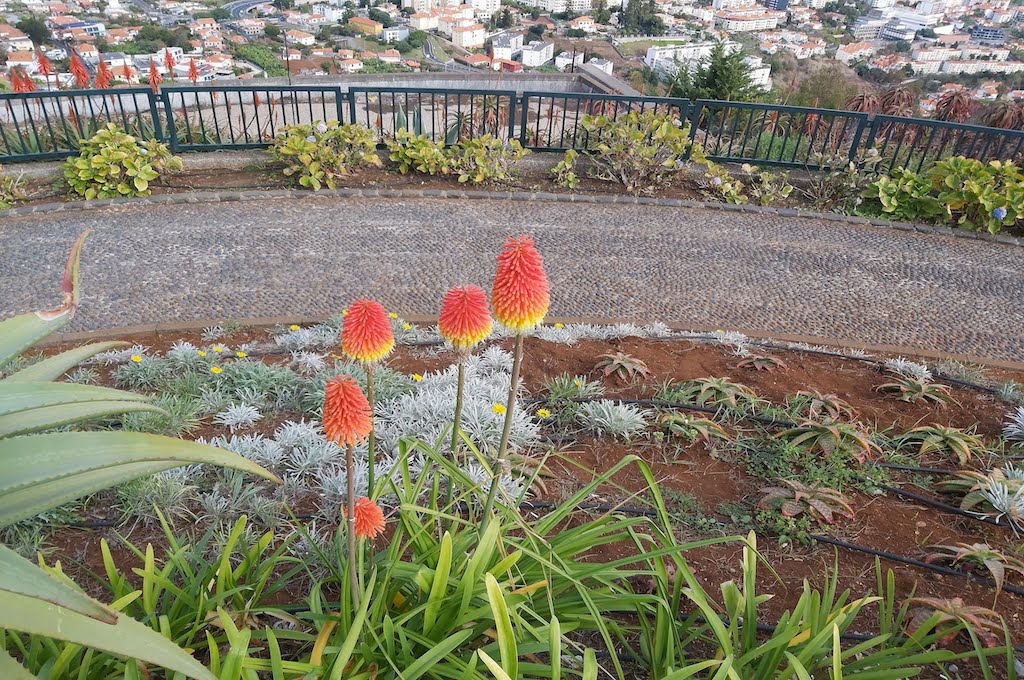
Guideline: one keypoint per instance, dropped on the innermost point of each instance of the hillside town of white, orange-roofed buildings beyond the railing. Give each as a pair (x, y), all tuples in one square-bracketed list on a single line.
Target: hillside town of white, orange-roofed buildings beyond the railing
[(940, 47)]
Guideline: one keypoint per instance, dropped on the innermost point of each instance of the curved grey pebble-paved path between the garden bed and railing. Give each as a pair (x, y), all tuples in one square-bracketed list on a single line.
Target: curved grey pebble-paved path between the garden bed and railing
[(688, 268)]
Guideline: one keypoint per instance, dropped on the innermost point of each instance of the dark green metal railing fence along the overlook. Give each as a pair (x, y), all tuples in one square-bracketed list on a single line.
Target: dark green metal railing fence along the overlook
[(52, 124)]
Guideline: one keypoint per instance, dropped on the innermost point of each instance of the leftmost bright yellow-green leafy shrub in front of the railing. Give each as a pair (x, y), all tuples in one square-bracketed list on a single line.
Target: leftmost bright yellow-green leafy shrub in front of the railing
[(115, 164)]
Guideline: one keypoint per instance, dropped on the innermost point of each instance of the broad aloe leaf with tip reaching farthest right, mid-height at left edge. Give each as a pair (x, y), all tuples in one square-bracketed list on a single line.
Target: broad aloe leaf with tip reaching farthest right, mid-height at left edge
[(45, 471)]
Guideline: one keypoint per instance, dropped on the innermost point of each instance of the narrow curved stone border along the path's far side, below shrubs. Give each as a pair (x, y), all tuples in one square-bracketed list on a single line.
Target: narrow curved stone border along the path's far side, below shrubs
[(224, 197)]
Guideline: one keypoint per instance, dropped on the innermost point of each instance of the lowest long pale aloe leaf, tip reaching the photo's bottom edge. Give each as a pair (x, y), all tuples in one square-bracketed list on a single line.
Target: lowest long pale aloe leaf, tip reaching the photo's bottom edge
[(127, 637)]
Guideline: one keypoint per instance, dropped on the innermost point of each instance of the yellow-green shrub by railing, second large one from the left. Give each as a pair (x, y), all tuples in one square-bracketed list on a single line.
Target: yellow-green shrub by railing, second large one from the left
[(322, 154)]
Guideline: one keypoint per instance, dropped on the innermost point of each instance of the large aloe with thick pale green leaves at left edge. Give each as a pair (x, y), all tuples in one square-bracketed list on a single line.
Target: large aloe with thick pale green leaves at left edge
[(45, 470)]
